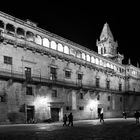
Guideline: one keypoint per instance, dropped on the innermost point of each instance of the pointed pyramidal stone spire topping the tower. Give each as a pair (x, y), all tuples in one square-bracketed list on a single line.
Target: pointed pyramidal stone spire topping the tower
[(106, 32)]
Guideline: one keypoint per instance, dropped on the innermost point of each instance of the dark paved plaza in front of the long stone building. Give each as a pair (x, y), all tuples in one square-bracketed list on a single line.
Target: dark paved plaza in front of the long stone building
[(111, 129)]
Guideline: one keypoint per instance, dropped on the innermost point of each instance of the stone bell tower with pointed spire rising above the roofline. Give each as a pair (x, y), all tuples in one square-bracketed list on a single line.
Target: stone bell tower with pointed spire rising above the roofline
[(107, 46)]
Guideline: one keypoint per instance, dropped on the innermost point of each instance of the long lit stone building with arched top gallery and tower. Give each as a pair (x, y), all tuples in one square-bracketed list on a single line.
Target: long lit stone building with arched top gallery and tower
[(43, 76)]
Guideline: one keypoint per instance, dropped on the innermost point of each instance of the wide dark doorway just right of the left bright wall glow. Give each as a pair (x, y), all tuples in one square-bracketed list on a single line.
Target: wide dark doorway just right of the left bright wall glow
[(55, 114)]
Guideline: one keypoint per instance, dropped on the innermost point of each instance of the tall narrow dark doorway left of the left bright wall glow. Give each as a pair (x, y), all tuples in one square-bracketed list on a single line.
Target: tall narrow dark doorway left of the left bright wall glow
[(30, 114)]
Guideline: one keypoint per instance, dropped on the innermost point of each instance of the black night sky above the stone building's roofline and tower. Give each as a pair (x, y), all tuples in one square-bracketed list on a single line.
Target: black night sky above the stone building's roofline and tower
[(82, 22)]
